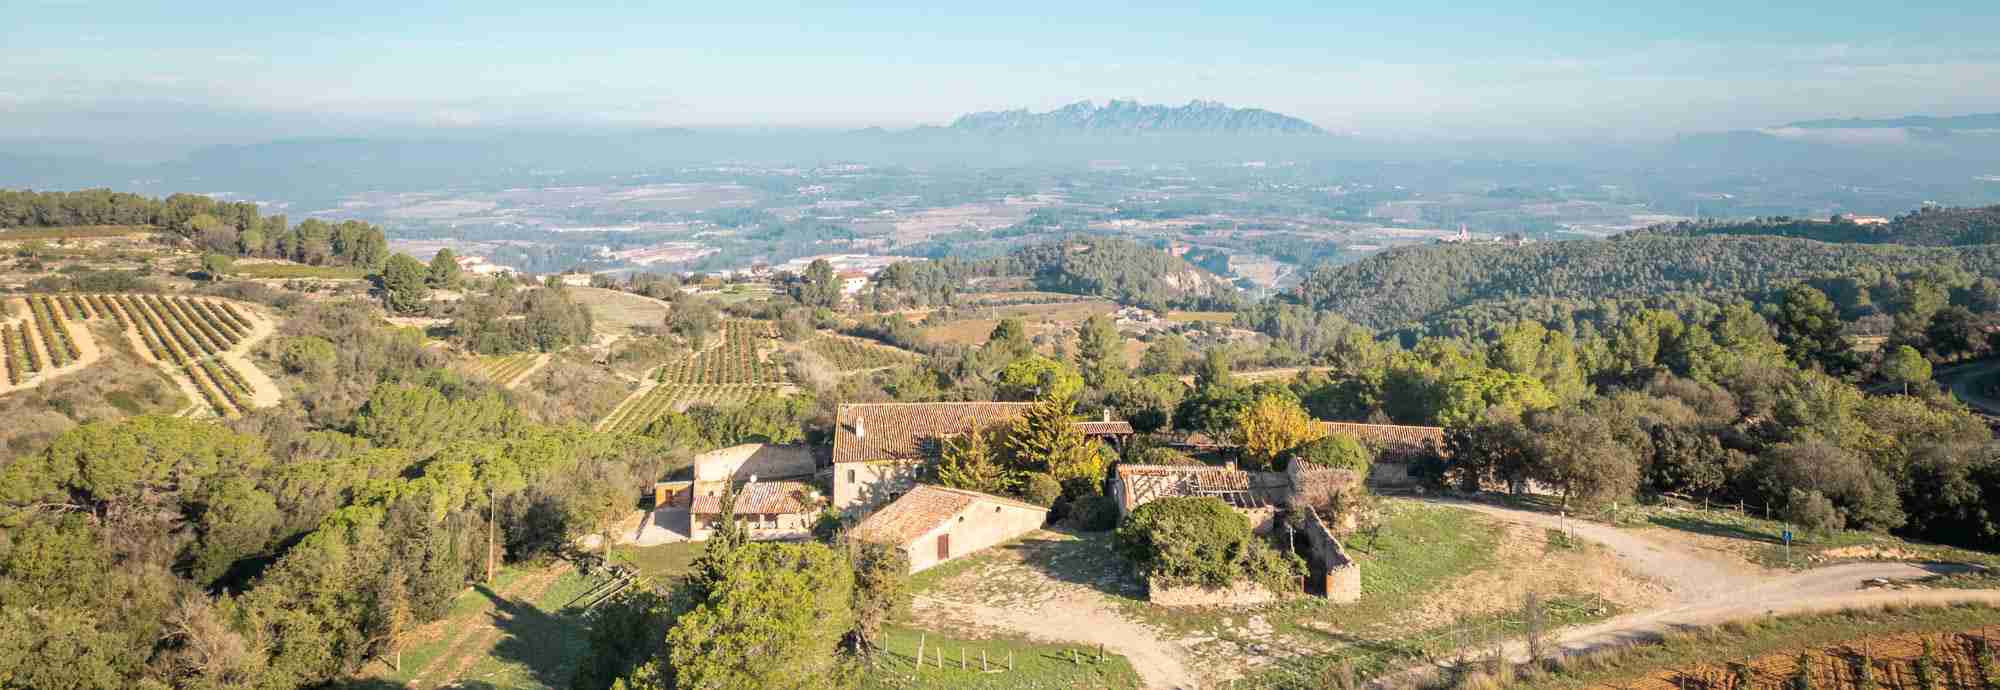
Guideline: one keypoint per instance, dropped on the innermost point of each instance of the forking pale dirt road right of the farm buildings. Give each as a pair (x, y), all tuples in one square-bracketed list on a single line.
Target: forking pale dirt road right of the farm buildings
[(1709, 589)]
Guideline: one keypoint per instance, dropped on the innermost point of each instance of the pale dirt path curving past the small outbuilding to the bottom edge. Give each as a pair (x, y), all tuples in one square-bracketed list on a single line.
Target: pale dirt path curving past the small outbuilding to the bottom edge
[(1081, 617)]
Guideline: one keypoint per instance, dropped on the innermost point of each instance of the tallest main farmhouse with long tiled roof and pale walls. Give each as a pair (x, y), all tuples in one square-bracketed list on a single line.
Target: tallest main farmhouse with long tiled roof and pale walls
[(883, 447)]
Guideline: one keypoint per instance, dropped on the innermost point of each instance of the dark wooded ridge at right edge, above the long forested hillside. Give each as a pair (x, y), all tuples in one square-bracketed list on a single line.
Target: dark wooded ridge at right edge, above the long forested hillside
[(1929, 227)]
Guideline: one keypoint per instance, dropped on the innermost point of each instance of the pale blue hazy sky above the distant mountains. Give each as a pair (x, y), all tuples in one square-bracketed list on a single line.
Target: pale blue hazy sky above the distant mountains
[(1465, 69)]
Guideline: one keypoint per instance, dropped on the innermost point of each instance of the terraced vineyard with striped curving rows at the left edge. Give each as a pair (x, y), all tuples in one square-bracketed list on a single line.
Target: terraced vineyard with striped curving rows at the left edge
[(193, 339)]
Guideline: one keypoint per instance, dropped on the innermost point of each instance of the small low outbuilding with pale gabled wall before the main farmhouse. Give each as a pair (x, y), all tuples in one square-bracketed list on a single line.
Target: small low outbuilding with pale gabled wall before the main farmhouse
[(935, 525)]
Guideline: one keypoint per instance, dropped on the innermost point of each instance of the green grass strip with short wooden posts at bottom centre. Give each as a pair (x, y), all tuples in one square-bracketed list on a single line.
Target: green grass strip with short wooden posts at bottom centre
[(1035, 665)]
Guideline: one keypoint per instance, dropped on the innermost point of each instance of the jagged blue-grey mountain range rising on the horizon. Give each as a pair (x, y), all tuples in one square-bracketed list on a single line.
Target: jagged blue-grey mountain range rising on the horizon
[(1131, 117)]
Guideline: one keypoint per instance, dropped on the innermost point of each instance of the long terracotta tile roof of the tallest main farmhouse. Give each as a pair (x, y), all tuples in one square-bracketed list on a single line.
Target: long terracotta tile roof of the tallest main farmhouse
[(905, 431)]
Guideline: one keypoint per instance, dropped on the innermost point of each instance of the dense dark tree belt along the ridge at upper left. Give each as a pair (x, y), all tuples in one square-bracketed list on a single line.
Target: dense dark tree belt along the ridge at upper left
[(233, 229)]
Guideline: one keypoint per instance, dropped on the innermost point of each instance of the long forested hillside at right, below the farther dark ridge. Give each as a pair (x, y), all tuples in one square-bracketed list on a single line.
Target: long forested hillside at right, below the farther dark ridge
[(1417, 283)]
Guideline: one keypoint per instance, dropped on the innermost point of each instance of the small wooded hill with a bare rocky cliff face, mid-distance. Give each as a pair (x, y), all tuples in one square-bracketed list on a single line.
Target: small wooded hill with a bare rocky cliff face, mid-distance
[(1121, 271)]
